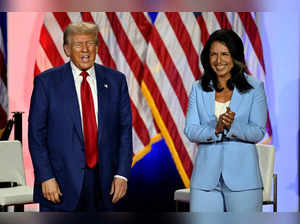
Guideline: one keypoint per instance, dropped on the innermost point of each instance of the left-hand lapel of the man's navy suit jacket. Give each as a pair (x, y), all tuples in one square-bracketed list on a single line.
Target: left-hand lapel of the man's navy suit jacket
[(71, 101)]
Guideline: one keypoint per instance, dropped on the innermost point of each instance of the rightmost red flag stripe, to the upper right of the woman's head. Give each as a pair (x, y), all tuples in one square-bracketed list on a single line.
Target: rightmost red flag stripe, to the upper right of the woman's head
[(253, 34)]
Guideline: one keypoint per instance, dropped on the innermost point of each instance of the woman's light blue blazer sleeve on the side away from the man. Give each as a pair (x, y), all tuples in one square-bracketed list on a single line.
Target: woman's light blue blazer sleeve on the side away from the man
[(252, 130)]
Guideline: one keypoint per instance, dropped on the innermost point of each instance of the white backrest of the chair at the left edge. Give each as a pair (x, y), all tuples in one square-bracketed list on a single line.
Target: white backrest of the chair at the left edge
[(11, 162)]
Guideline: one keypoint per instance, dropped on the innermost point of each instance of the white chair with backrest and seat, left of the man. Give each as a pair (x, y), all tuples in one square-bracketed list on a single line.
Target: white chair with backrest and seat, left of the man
[(13, 188)]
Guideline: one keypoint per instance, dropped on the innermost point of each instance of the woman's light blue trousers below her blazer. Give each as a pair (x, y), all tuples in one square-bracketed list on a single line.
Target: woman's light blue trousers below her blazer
[(222, 199)]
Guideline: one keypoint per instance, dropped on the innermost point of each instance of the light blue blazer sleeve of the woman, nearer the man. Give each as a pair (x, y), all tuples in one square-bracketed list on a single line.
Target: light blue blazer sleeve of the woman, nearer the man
[(197, 130)]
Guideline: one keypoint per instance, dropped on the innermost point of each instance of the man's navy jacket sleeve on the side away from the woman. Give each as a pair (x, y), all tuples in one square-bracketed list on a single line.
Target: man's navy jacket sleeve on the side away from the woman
[(37, 132)]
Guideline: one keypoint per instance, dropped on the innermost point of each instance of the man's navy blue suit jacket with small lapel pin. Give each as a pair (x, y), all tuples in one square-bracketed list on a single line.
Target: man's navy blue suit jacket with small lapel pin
[(56, 137)]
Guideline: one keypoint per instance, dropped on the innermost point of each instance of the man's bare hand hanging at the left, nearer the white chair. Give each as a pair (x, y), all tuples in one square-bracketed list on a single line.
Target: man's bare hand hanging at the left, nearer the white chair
[(51, 190)]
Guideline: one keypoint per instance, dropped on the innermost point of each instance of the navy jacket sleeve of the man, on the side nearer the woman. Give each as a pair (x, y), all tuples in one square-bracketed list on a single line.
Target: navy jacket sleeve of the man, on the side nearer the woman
[(125, 151)]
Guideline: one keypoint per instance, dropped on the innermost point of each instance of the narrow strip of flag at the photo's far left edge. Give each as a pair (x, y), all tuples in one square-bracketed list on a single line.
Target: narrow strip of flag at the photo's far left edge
[(3, 72)]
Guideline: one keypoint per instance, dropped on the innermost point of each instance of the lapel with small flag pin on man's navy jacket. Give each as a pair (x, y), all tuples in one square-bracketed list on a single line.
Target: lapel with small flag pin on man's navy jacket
[(102, 88)]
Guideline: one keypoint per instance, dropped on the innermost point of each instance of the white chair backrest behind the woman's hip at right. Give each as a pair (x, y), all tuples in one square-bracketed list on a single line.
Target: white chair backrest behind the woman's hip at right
[(266, 164)]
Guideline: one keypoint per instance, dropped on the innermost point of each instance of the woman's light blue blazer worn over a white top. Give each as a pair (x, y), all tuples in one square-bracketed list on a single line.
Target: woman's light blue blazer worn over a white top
[(236, 159)]
